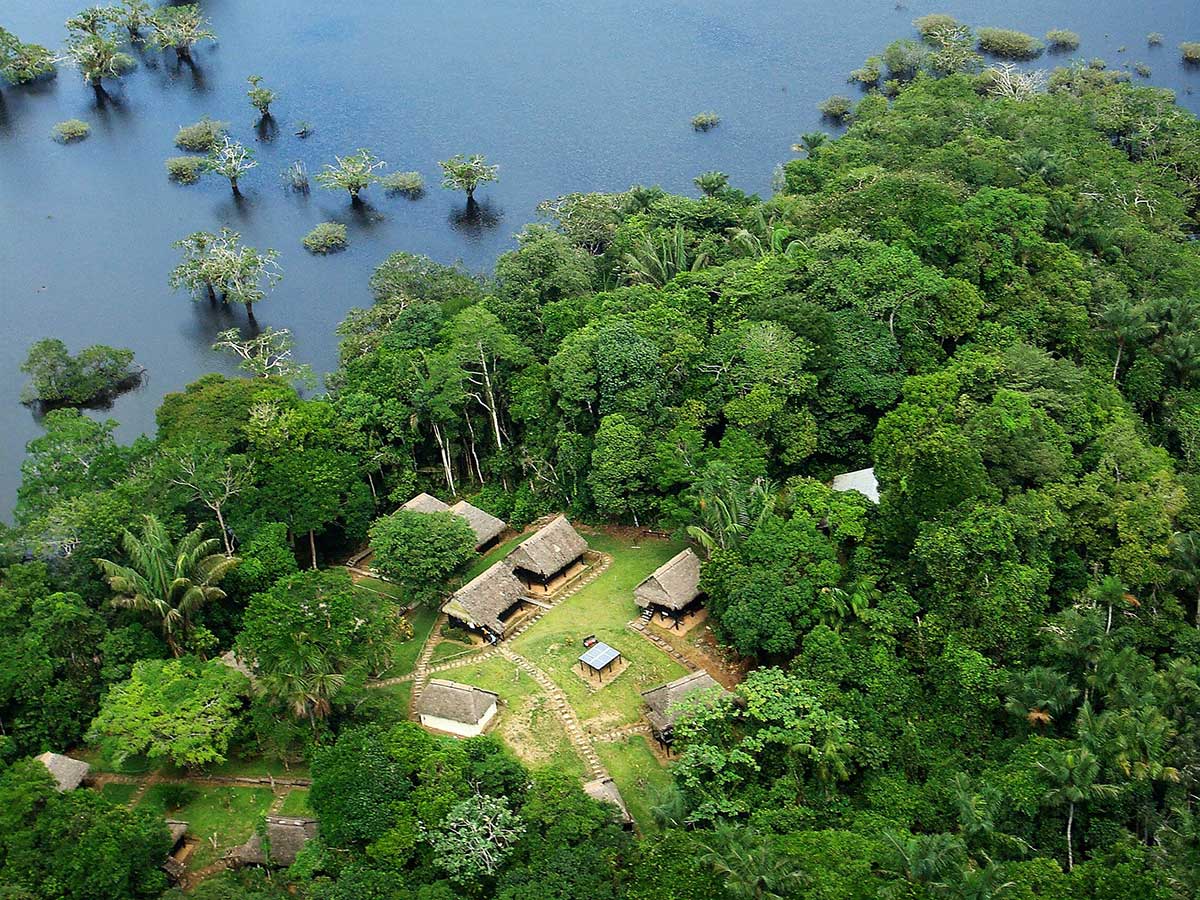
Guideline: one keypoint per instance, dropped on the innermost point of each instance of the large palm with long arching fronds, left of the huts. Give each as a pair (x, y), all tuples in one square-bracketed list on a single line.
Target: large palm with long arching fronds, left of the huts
[(172, 581)]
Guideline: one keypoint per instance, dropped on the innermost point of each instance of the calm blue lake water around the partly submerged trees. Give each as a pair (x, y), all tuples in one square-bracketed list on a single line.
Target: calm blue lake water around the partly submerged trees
[(563, 97)]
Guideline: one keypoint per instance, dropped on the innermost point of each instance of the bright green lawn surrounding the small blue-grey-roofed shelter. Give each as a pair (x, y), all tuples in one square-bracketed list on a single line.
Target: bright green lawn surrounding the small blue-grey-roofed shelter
[(603, 609)]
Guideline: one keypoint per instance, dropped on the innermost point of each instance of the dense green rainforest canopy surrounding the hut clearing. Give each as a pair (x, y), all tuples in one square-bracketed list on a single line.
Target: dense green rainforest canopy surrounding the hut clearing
[(985, 687)]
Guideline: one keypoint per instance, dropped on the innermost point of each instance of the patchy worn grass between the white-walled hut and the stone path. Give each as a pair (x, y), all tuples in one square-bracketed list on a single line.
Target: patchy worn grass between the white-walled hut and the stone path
[(526, 722)]
